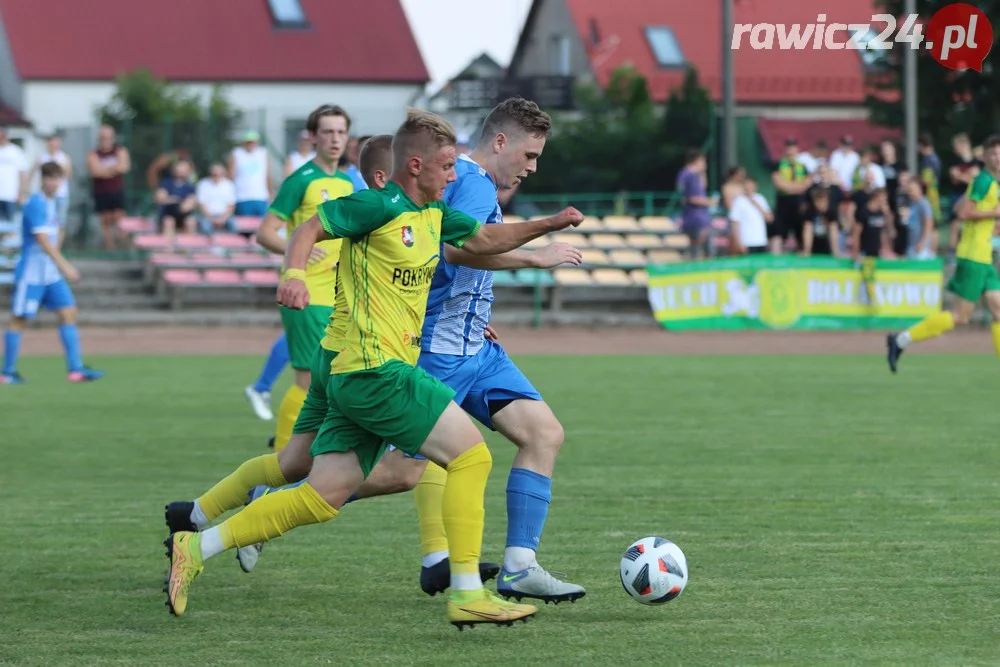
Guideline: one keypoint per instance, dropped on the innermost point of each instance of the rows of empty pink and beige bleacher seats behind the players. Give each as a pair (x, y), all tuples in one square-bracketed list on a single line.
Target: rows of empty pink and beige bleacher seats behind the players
[(616, 251)]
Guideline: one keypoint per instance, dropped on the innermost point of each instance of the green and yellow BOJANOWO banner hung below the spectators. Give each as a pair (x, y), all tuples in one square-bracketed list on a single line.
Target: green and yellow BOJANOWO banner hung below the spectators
[(789, 292)]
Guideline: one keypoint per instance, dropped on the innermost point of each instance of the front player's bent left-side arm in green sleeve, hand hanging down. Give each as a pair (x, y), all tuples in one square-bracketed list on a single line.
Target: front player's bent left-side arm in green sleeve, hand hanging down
[(346, 217)]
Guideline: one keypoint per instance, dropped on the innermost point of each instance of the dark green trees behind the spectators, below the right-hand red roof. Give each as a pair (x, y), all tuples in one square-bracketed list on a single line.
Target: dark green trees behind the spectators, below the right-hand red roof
[(618, 140)]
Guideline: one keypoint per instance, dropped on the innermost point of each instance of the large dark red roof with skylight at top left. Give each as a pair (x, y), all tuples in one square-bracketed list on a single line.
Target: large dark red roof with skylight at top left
[(211, 40)]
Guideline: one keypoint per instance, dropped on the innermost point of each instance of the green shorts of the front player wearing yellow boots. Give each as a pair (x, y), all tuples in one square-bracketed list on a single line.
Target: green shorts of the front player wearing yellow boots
[(395, 402)]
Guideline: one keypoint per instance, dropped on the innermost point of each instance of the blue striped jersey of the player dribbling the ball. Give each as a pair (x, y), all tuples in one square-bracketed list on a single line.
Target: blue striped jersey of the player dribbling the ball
[(461, 298)]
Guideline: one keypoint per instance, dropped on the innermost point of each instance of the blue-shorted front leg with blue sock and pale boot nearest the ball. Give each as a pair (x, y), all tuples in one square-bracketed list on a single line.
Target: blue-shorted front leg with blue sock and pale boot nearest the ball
[(503, 399)]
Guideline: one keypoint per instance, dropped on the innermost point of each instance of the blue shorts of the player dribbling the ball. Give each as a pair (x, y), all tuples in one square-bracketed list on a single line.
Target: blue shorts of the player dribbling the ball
[(487, 376)]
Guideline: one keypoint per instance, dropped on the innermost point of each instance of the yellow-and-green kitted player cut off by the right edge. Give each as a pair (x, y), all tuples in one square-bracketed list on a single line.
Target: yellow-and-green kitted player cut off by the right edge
[(975, 275)]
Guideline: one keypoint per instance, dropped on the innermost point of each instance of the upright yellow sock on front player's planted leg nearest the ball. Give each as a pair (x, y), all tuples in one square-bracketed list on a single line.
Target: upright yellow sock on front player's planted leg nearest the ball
[(462, 509)]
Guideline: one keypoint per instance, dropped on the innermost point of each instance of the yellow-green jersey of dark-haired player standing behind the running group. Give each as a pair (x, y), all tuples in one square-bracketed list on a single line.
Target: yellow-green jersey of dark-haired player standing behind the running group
[(298, 198)]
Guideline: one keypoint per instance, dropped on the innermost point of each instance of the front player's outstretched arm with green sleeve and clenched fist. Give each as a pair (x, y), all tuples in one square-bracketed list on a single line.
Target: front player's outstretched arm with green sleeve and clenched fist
[(462, 231)]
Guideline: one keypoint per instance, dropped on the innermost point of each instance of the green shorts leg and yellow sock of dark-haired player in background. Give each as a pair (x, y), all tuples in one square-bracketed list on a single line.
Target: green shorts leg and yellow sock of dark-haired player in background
[(304, 330)]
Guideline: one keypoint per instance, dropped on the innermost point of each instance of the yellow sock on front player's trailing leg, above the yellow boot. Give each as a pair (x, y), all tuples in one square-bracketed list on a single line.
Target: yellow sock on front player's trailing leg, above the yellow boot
[(274, 515)]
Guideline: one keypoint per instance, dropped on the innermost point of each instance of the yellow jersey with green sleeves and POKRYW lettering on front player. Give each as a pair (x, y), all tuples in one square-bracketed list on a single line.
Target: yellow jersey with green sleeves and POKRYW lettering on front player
[(390, 252)]
